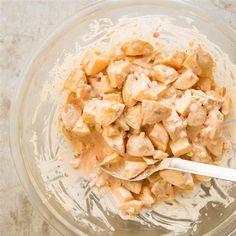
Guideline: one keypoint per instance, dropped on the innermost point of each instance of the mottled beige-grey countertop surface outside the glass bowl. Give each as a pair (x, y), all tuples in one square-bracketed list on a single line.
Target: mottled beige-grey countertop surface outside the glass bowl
[(23, 26)]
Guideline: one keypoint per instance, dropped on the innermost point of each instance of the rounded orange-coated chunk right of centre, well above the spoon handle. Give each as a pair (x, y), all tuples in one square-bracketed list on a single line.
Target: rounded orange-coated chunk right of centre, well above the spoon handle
[(197, 114)]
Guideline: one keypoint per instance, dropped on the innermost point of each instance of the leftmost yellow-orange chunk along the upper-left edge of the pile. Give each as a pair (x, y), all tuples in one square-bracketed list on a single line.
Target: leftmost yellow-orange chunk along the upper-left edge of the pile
[(76, 78)]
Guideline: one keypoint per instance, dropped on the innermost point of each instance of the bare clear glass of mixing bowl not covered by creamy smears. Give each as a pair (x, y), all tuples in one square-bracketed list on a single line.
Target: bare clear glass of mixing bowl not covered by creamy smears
[(23, 122)]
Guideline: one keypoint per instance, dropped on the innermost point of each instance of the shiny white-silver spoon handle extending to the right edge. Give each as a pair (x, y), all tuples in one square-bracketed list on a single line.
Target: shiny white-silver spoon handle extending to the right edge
[(202, 169)]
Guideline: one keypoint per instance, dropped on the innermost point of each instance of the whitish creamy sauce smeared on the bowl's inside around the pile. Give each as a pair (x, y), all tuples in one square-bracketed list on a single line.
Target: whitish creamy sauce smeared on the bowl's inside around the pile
[(187, 205)]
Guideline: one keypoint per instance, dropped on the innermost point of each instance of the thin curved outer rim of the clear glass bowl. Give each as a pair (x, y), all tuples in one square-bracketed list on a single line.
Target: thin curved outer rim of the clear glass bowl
[(36, 197)]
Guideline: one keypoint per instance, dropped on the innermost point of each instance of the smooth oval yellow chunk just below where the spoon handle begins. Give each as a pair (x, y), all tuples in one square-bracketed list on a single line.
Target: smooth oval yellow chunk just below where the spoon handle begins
[(174, 177)]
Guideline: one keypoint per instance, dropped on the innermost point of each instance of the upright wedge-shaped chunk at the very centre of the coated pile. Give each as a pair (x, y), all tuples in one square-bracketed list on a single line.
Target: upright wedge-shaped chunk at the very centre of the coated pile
[(133, 117)]
